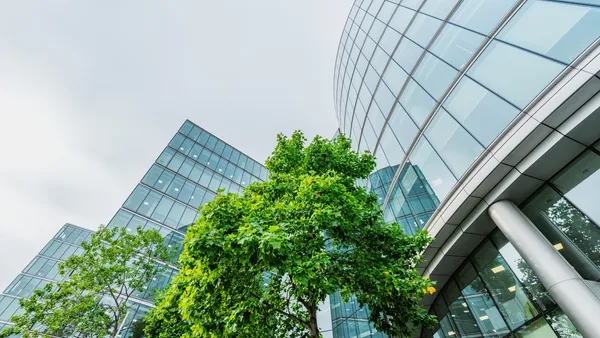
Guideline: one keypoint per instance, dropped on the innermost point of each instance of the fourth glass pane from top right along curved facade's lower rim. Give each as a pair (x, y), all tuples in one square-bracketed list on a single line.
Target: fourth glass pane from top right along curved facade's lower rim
[(456, 147)]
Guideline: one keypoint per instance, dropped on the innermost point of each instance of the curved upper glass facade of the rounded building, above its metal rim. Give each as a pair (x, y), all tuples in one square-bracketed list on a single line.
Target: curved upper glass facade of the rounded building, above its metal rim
[(432, 83)]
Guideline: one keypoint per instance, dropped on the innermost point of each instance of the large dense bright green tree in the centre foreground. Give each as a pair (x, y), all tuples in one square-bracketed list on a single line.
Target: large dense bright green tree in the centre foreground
[(259, 264)]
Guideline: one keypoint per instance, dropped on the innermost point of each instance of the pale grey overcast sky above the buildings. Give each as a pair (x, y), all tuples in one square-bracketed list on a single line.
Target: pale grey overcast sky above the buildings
[(92, 91)]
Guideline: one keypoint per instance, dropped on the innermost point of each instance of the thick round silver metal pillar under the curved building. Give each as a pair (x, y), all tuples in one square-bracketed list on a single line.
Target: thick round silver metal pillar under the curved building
[(568, 289)]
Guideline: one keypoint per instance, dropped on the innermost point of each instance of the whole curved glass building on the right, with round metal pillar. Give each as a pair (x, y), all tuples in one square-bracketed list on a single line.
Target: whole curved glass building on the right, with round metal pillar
[(494, 105)]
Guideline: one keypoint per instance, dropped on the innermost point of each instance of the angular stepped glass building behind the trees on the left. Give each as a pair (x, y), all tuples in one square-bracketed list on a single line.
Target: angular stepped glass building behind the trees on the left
[(188, 173)]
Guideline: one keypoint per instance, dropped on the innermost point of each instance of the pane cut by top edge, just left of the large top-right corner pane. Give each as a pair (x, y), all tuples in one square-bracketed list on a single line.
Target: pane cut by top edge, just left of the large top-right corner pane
[(481, 15)]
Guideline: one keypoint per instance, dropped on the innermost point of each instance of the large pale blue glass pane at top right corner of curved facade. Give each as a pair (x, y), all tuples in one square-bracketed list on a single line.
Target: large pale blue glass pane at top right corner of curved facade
[(558, 30)]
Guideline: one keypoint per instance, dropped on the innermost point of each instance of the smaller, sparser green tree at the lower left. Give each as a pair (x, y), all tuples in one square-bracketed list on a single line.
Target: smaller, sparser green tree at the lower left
[(93, 301)]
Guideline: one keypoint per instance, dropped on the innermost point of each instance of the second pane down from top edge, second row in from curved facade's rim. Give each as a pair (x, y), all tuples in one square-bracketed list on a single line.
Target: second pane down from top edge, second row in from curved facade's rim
[(456, 45)]
